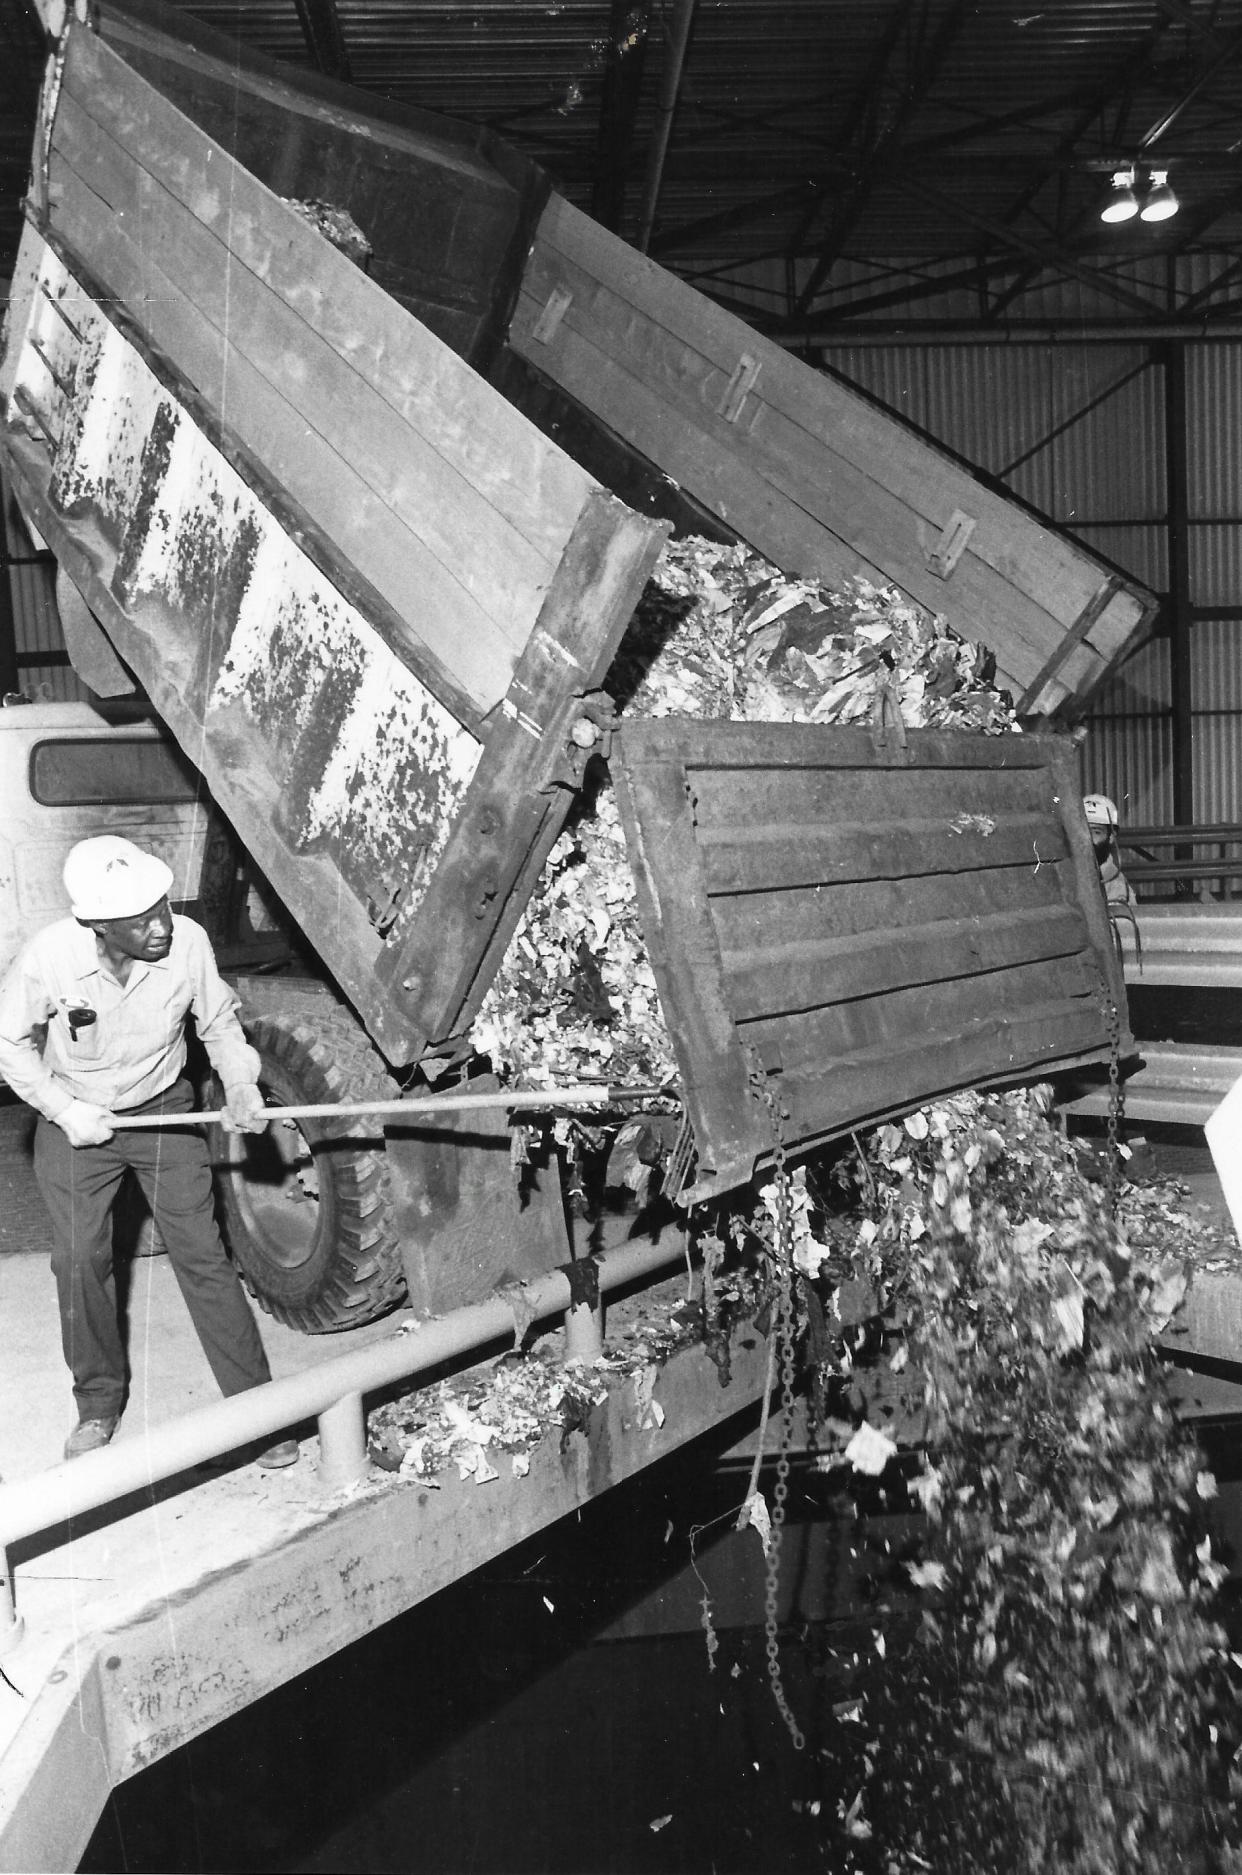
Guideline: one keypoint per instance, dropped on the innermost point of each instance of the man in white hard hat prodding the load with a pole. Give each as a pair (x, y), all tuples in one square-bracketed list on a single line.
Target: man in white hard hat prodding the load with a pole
[(93, 1025)]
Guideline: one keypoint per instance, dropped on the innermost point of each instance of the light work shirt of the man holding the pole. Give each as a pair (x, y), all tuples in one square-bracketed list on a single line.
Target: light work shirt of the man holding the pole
[(136, 1047)]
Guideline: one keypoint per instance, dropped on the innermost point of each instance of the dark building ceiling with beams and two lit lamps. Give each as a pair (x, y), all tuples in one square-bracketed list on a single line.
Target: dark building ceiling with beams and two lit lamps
[(823, 166)]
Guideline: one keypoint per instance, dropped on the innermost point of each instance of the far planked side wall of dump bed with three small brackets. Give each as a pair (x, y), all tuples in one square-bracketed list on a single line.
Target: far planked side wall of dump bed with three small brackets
[(810, 472)]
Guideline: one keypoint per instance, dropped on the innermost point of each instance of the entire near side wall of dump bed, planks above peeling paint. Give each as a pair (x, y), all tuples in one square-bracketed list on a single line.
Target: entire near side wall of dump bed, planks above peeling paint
[(365, 593)]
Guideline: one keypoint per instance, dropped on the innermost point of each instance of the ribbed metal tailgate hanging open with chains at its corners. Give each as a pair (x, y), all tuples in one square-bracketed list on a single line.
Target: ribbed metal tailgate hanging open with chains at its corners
[(860, 925)]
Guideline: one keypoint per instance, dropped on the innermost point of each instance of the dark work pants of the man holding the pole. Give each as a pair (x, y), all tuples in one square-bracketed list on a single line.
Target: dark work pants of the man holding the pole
[(80, 1188)]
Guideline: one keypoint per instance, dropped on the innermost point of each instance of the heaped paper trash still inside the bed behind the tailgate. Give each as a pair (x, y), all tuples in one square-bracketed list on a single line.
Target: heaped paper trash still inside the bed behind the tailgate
[(719, 637)]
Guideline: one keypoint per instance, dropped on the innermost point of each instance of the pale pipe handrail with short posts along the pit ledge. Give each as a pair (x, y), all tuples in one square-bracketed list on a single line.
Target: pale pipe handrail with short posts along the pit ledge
[(333, 1392)]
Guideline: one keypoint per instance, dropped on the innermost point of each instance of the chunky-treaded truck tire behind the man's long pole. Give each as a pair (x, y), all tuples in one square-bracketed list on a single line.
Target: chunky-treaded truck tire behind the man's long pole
[(309, 1218)]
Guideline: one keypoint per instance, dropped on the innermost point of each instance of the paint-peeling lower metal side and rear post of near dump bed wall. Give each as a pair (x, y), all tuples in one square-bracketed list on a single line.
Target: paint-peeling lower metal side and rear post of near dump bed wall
[(391, 822)]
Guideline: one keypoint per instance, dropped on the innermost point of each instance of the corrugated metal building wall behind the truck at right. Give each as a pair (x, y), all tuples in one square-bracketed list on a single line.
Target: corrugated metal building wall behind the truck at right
[(1080, 432)]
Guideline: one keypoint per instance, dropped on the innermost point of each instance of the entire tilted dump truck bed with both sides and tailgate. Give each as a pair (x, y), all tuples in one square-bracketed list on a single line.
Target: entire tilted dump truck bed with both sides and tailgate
[(376, 603)]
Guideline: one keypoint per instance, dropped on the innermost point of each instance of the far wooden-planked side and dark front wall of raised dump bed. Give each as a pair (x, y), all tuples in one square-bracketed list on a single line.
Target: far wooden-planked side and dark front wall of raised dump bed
[(663, 395)]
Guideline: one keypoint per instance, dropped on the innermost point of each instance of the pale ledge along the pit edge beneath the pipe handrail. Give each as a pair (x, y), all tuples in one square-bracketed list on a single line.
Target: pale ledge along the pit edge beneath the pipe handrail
[(247, 1604)]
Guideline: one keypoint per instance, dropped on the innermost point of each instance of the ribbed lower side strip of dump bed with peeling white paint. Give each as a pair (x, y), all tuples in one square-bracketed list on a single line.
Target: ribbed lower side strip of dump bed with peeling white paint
[(341, 770)]
